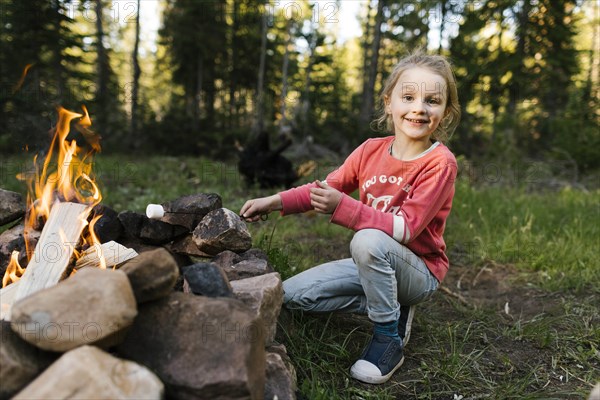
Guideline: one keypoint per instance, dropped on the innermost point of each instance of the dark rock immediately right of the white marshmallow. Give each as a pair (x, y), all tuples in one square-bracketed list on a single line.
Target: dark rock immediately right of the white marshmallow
[(189, 210)]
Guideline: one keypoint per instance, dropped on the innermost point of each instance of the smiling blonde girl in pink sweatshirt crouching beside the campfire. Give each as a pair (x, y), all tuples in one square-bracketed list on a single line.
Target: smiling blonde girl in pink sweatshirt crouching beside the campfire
[(406, 185)]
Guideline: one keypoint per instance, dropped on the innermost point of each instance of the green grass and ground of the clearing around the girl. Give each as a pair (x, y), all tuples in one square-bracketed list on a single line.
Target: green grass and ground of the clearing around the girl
[(540, 251)]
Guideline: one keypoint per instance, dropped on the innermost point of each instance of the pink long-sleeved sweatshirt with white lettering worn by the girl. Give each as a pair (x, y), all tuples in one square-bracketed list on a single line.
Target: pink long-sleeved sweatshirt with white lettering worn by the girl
[(408, 200)]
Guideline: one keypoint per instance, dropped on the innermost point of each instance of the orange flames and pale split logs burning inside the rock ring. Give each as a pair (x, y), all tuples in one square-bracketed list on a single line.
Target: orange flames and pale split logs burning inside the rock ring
[(62, 194)]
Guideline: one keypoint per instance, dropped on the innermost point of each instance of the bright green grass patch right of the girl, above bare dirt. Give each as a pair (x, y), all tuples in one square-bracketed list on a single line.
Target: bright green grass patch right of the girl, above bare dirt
[(553, 234)]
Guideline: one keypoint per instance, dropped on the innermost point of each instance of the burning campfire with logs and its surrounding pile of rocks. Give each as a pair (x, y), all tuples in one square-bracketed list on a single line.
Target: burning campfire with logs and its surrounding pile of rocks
[(119, 305)]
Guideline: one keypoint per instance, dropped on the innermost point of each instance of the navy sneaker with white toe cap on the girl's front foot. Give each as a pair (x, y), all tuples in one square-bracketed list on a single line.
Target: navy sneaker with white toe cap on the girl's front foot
[(382, 357)]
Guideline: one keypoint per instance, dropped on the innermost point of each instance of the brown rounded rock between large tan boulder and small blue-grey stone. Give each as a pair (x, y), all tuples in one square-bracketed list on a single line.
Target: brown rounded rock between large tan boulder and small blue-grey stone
[(152, 274)]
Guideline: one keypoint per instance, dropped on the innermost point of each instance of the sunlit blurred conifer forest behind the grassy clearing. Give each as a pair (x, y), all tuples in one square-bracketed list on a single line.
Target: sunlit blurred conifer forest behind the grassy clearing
[(216, 73)]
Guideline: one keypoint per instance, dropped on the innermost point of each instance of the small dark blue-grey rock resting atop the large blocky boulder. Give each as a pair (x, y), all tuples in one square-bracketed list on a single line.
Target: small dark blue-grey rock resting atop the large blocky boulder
[(206, 279)]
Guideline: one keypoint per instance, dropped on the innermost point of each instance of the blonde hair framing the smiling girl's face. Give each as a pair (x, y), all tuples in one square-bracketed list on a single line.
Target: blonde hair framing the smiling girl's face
[(438, 65)]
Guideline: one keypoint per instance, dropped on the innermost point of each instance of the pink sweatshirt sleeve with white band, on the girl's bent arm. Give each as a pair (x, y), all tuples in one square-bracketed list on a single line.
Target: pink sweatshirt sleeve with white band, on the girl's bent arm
[(428, 196)]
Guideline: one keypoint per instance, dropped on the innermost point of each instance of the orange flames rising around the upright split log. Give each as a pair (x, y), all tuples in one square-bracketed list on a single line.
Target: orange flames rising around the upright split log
[(65, 175)]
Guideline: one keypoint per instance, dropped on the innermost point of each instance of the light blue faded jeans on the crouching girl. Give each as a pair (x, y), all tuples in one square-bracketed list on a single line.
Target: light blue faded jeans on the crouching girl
[(381, 275)]
